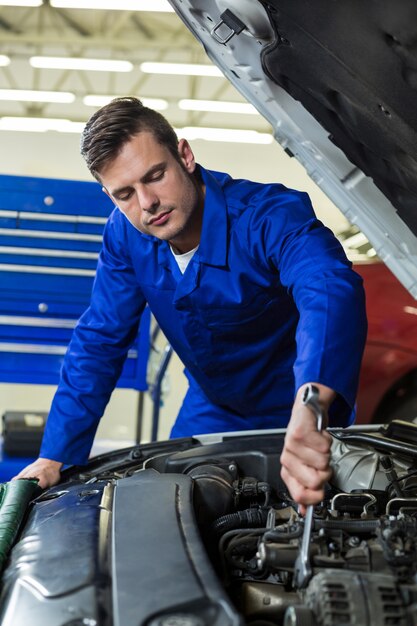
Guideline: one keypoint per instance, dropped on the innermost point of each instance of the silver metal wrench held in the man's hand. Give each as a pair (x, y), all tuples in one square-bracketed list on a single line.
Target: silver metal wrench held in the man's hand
[(302, 567)]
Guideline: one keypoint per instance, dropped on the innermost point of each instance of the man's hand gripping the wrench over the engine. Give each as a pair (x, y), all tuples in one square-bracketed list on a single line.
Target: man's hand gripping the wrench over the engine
[(305, 459)]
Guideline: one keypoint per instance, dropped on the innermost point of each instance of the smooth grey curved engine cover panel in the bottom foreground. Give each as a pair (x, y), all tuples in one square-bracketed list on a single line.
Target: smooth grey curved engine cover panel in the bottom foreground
[(153, 520)]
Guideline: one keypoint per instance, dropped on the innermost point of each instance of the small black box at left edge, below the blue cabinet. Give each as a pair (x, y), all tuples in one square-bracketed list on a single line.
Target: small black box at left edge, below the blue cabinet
[(22, 433)]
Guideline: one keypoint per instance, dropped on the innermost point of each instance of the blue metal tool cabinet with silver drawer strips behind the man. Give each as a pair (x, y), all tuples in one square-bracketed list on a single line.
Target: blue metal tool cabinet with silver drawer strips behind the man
[(50, 237)]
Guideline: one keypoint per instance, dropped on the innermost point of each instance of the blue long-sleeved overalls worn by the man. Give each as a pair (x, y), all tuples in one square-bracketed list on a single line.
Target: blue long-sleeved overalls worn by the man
[(268, 302)]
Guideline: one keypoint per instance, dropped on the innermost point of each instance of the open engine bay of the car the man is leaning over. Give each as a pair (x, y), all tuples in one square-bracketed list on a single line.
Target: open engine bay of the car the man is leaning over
[(199, 533)]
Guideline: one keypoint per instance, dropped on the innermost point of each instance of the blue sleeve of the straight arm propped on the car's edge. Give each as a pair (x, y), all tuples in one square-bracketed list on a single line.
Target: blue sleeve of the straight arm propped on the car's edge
[(96, 353)]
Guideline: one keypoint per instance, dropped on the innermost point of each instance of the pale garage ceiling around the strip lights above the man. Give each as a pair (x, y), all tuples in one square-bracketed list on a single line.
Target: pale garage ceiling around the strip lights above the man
[(134, 36)]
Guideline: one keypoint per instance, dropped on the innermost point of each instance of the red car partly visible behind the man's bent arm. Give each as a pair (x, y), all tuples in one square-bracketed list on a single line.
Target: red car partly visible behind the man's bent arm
[(388, 382)]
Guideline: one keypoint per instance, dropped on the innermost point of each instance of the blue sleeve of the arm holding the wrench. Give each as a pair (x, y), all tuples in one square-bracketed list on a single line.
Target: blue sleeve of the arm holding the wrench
[(329, 296)]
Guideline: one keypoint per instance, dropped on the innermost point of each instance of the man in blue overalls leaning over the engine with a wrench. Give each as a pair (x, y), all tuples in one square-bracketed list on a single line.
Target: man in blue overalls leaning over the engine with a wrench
[(255, 295)]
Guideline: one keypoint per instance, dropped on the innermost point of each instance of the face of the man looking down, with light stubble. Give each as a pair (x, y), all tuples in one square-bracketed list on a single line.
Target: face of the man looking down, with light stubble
[(157, 193)]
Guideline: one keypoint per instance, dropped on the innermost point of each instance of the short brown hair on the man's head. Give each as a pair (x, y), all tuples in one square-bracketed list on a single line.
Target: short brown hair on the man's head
[(112, 126)]
